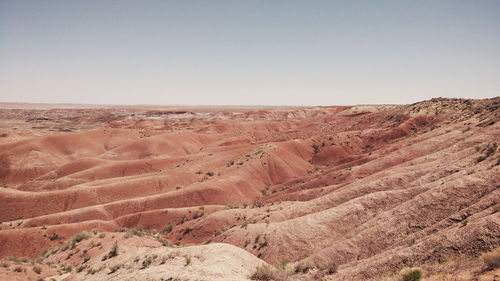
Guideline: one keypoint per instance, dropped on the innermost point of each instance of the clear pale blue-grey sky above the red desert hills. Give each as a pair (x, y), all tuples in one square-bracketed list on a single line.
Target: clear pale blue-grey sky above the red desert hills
[(253, 52)]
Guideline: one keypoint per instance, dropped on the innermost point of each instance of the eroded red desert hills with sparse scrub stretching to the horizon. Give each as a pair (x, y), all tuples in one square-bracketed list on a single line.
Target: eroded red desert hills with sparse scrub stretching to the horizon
[(360, 192)]
